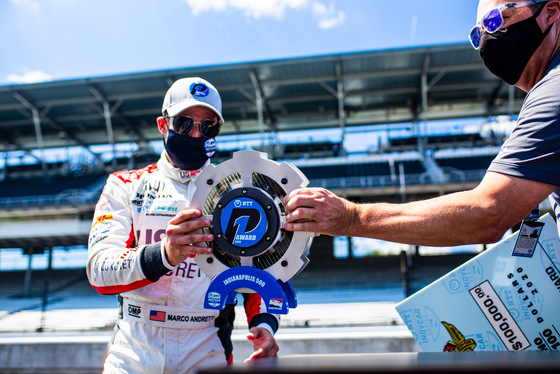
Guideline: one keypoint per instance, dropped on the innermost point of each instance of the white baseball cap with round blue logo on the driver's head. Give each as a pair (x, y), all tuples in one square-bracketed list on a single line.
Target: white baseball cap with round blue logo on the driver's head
[(189, 92)]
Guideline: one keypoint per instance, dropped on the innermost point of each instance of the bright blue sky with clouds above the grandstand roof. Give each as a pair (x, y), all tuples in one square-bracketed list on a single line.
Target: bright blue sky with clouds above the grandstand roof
[(46, 40)]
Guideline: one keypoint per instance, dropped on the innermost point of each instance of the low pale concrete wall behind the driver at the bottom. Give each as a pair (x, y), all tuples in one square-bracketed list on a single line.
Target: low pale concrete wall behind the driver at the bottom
[(85, 354)]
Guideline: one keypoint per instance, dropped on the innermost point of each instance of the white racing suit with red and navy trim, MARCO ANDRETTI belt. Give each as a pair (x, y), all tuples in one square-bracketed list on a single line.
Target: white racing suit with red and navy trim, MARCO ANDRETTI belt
[(162, 327)]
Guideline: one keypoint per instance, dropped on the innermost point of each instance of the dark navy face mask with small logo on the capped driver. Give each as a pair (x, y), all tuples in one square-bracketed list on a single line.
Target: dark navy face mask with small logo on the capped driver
[(188, 153)]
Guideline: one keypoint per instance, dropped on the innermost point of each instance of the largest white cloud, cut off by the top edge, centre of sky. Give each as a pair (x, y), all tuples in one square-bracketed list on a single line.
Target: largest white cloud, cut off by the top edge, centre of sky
[(326, 17)]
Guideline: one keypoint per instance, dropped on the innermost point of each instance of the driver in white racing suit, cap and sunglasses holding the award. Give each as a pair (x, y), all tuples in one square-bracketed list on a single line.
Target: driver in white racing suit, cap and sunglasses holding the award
[(142, 247)]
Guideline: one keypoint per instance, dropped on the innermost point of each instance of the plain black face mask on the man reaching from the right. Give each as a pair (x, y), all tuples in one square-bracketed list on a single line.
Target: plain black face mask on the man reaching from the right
[(506, 52)]
